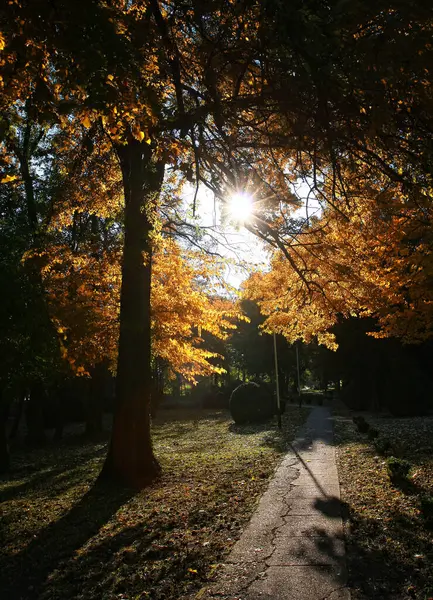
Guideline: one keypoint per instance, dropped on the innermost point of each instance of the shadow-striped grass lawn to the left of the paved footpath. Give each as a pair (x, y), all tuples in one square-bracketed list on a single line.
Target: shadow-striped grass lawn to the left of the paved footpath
[(64, 538)]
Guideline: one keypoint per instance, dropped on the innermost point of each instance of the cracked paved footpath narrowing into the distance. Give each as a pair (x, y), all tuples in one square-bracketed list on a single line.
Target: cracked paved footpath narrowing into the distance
[(293, 547)]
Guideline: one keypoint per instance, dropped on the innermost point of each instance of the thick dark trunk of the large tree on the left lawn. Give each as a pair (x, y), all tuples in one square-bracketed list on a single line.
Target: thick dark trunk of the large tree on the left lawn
[(130, 457)]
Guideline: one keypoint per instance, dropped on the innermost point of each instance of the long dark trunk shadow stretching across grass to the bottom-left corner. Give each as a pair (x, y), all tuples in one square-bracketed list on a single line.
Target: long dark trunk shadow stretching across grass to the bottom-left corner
[(25, 573)]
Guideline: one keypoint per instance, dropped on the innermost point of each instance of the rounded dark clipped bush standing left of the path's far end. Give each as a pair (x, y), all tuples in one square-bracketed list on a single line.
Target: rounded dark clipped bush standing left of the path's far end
[(251, 403)]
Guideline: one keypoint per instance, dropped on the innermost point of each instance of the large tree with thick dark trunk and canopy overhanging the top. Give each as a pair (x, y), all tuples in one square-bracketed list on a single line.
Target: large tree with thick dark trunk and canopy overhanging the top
[(225, 93)]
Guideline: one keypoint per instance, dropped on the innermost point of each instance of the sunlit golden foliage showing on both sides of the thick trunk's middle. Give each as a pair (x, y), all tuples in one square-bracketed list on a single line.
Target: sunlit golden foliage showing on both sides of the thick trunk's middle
[(84, 293)]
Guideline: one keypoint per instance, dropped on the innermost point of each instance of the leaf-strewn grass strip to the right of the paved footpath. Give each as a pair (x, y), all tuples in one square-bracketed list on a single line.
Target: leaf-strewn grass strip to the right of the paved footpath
[(390, 547)]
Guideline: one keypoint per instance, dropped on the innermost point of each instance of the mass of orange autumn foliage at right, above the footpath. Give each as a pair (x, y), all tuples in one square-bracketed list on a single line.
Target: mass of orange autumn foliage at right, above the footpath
[(370, 258)]
